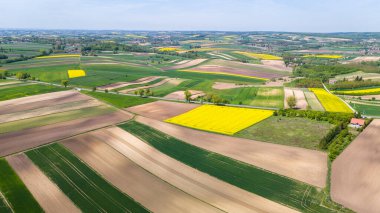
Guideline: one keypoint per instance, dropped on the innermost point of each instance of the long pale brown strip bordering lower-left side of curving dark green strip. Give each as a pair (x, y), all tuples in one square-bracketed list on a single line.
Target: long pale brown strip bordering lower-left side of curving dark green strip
[(210, 190)]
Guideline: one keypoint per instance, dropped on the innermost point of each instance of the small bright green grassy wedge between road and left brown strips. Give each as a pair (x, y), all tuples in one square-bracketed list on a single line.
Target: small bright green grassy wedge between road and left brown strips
[(119, 101)]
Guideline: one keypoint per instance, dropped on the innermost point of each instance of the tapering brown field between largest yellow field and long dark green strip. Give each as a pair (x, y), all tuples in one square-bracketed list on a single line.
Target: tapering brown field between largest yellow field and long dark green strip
[(305, 165)]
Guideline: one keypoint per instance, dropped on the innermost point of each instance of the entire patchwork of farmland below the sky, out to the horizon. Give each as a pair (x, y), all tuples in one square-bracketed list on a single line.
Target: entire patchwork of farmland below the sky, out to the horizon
[(119, 121)]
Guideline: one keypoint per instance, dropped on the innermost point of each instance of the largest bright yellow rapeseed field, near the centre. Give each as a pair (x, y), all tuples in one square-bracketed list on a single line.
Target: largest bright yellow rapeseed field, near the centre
[(220, 119)]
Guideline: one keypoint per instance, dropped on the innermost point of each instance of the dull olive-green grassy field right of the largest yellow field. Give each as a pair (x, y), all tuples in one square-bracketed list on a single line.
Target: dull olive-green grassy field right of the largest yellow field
[(300, 132)]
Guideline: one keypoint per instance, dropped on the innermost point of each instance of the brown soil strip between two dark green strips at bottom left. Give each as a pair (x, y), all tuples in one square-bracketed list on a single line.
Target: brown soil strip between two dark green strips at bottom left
[(47, 194)]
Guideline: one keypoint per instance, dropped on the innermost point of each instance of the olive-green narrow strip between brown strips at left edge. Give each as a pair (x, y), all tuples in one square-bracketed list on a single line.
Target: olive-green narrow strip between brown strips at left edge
[(53, 119)]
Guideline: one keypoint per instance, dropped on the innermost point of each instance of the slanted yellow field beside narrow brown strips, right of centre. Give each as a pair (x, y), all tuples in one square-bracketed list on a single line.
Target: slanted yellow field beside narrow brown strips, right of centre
[(330, 102)]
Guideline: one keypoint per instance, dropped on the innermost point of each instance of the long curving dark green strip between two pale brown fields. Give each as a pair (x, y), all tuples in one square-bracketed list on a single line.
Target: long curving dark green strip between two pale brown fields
[(274, 187)]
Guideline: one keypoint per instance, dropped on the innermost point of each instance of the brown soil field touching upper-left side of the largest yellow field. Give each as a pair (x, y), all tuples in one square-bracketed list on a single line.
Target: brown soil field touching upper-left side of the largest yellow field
[(162, 110)]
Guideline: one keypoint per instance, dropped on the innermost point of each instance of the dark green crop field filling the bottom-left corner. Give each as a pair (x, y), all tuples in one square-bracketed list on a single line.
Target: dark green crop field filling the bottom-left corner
[(15, 192)]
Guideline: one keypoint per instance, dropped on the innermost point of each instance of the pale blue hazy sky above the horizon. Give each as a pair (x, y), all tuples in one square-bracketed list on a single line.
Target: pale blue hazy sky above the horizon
[(188, 15)]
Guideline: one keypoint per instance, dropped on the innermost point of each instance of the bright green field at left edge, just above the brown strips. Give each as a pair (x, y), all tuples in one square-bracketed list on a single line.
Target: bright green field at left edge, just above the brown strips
[(28, 90)]
